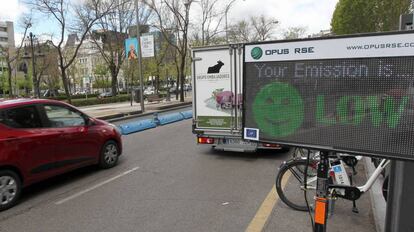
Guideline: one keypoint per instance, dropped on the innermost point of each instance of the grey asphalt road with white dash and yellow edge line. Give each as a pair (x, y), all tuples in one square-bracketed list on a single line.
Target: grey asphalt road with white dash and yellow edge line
[(165, 182)]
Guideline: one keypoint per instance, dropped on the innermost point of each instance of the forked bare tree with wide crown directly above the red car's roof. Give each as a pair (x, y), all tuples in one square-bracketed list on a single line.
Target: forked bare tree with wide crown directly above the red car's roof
[(86, 17)]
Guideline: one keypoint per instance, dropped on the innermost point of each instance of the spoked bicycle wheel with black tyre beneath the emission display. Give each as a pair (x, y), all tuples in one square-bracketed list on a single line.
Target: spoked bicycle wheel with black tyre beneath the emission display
[(290, 184)]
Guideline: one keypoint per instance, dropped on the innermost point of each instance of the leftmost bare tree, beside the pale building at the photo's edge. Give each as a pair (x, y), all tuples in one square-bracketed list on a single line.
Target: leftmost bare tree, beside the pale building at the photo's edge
[(12, 54)]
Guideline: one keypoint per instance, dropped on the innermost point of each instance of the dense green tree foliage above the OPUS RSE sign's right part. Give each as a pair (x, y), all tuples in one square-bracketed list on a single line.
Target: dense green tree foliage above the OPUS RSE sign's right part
[(360, 16)]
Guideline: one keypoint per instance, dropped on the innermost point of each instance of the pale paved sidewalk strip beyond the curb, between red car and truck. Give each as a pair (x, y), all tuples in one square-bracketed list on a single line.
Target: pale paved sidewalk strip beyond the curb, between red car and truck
[(124, 109)]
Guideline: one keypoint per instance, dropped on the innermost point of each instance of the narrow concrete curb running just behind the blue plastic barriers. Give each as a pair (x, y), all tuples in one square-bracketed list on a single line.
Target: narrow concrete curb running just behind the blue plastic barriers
[(137, 114)]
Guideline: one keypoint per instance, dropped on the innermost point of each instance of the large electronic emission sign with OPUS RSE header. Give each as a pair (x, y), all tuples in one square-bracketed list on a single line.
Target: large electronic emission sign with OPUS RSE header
[(352, 94)]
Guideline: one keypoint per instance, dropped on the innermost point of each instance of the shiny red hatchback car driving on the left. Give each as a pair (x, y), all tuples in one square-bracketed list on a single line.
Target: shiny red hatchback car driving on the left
[(44, 138)]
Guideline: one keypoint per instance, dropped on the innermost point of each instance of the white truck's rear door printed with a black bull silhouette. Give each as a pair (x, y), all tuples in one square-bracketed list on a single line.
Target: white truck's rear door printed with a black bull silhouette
[(216, 90)]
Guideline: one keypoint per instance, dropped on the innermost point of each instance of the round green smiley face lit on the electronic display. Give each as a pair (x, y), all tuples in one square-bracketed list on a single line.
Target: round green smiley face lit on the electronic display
[(278, 109)]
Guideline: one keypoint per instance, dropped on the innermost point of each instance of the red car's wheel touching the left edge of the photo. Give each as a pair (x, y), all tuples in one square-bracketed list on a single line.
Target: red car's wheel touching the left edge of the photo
[(10, 188)]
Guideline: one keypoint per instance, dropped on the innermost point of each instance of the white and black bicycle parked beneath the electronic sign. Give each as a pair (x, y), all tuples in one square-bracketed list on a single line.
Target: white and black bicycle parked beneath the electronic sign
[(340, 183)]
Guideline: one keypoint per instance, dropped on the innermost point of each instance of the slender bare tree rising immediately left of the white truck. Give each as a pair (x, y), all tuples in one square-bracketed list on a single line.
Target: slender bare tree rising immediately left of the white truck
[(173, 16)]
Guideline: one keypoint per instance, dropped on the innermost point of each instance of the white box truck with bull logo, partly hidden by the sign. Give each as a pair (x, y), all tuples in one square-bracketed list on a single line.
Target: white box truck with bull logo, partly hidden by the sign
[(217, 73)]
